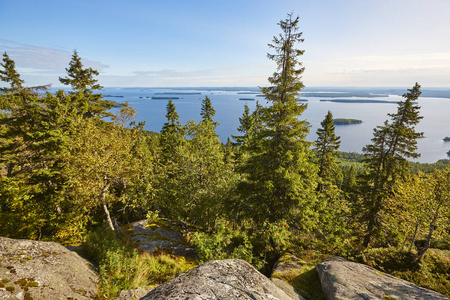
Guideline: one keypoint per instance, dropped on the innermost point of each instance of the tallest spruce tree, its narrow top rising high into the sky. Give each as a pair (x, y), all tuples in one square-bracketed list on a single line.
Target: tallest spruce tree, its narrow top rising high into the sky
[(280, 178)]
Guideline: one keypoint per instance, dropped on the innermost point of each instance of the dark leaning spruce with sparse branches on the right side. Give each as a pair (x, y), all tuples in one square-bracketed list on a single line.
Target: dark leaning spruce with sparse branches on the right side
[(386, 161)]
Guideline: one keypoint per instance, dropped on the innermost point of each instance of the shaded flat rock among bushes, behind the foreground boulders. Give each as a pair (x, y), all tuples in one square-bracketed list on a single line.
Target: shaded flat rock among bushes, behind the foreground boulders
[(161, 236)]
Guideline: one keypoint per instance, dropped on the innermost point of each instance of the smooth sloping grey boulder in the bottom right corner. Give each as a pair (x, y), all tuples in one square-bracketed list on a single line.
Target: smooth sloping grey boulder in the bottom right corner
[(342, 280)]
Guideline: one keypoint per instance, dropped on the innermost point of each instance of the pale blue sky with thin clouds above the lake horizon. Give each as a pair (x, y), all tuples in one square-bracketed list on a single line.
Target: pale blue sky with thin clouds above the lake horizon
[(212, 43)]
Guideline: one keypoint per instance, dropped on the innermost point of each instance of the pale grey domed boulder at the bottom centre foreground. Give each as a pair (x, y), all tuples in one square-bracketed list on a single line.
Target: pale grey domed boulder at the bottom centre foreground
[(230, 279)]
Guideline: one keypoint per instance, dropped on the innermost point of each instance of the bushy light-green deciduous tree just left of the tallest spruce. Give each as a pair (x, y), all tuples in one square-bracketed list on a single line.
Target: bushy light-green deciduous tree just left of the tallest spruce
[(194, 184)]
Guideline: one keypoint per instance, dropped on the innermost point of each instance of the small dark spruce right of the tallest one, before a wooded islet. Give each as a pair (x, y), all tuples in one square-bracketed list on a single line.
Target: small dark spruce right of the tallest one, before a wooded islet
[(326, 151)]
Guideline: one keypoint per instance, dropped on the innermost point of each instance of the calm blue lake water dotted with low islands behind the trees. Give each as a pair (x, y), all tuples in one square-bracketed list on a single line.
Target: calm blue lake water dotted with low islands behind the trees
[(229, 107)]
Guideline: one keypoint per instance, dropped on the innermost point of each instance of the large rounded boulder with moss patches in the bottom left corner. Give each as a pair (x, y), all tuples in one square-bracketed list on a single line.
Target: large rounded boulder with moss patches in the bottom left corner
[(44, 270)]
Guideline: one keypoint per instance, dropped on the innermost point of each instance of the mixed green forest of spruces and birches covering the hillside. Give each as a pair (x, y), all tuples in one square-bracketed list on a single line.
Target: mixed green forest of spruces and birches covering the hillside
[(72, 171)]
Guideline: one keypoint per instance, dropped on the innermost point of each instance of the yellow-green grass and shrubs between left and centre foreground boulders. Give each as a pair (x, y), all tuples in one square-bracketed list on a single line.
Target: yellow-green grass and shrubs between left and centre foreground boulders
[(121, 267)]
